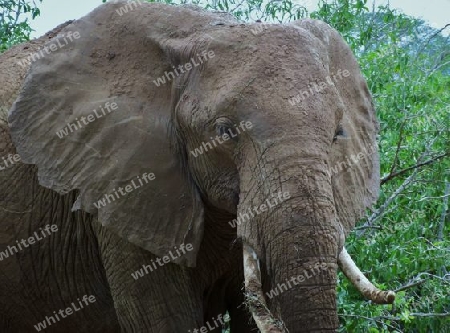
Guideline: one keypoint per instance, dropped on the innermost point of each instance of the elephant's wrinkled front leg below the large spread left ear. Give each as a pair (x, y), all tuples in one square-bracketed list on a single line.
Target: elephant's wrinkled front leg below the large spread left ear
[(162, 300)]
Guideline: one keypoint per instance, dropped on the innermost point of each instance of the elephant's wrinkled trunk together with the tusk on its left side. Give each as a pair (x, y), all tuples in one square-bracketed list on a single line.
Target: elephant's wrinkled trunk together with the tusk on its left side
[(295, 245)]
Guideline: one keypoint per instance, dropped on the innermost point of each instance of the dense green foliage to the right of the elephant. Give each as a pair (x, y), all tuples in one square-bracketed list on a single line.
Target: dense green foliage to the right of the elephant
[(406, 64)]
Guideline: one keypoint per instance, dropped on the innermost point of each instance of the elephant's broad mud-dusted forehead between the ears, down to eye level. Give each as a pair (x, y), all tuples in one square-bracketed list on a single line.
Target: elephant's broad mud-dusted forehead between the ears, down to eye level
[(253, 77)]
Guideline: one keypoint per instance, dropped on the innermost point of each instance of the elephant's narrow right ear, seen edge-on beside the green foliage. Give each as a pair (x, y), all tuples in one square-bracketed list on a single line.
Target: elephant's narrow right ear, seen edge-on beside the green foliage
[(354, 160)]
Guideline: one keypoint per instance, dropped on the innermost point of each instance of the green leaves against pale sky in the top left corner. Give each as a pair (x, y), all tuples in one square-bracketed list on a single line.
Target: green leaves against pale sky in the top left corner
[(14, 29)]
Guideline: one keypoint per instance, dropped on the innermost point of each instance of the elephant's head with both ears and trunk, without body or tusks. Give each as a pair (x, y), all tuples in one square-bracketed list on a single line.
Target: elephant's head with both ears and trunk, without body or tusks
[(196, 113)]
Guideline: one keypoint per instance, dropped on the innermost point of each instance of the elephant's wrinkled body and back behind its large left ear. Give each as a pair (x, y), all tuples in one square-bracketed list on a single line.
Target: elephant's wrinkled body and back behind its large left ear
[(48, 275)]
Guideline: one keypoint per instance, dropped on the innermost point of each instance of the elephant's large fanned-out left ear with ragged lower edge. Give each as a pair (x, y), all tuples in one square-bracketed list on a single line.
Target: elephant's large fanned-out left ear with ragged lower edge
[(94, 118)]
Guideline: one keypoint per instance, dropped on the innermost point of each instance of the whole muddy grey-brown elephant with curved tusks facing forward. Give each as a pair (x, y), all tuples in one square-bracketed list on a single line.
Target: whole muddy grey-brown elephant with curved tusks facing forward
[(165, 167)]
